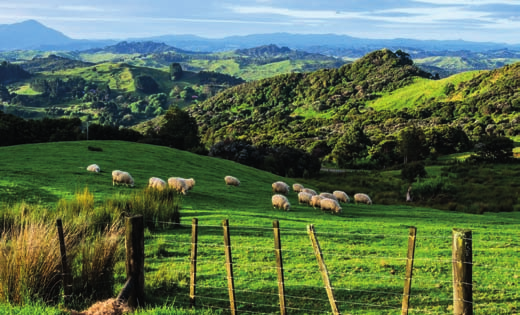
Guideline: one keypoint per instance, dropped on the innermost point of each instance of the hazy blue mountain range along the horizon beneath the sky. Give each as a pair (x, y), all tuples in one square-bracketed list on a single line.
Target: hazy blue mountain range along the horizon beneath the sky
[(34, 35)]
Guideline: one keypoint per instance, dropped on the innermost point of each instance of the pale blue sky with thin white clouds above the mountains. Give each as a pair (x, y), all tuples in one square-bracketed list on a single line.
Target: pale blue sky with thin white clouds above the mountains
[(470, 20)]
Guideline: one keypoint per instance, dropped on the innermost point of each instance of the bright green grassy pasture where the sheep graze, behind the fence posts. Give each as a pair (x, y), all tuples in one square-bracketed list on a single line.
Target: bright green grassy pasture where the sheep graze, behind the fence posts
[(364, 246)]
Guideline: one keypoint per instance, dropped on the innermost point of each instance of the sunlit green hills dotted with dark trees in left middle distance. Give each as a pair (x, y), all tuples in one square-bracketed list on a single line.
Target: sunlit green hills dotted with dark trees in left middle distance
[(106, 93)]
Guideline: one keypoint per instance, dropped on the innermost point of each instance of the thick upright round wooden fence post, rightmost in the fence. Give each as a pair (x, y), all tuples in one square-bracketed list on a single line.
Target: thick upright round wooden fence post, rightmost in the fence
[(462, 264)]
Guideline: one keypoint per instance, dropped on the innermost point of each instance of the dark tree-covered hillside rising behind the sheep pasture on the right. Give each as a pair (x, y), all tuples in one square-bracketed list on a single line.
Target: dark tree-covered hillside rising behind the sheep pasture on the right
[(326, 113)]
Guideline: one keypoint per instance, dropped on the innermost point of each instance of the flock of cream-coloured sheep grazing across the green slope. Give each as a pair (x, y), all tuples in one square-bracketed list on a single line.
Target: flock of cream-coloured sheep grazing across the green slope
[(325, 201)]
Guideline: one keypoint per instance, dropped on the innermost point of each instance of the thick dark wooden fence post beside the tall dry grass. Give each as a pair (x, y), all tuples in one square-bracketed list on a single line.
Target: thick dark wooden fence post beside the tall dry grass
[(134, 244)]
